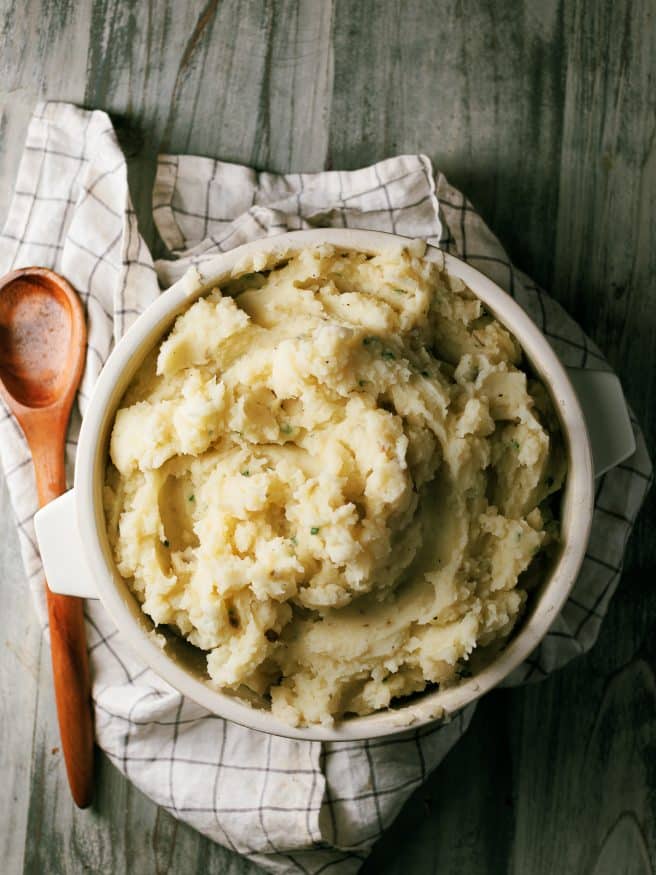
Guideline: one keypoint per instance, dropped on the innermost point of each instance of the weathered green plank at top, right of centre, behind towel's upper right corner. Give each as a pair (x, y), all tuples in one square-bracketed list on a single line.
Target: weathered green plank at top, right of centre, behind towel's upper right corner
[(478, 86)]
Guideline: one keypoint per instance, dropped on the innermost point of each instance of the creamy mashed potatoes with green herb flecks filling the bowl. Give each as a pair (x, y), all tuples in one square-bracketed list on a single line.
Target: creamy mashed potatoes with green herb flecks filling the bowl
[(330, 476)]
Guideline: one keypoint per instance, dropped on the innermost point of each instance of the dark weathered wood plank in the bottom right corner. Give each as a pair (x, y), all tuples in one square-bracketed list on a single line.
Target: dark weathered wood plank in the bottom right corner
[(586, 779)]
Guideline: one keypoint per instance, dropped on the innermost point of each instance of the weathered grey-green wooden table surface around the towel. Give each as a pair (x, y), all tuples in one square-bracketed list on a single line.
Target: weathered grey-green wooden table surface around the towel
[(544, 113)]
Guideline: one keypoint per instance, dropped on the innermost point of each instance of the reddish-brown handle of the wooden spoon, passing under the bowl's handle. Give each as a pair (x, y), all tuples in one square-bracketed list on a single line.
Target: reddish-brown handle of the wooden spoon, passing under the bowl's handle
[(70, 667)]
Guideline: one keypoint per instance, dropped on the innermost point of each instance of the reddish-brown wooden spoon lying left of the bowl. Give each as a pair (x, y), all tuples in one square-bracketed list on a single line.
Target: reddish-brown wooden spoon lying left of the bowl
[(42, 348)]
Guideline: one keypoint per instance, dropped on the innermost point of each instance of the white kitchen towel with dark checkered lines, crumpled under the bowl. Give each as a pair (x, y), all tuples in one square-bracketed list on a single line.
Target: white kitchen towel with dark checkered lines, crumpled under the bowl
[(291, 806)]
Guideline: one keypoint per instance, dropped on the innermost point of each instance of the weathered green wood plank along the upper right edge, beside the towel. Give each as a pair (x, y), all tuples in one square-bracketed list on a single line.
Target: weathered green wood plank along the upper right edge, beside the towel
[(605, 256)]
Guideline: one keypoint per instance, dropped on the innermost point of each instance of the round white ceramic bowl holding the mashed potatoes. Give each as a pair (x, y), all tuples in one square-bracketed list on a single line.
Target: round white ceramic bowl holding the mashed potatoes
[(77, 556)]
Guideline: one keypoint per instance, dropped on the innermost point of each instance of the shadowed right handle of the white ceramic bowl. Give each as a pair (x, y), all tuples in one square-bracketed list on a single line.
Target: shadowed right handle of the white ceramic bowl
[(606, 416)]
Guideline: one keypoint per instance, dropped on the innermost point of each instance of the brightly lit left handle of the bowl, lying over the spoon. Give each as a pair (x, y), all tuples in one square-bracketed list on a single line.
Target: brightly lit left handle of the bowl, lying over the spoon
[(61, 549)]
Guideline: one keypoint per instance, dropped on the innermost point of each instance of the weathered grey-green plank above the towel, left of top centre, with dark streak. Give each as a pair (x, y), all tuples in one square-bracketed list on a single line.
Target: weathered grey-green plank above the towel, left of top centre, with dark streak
[(247, 82)]
